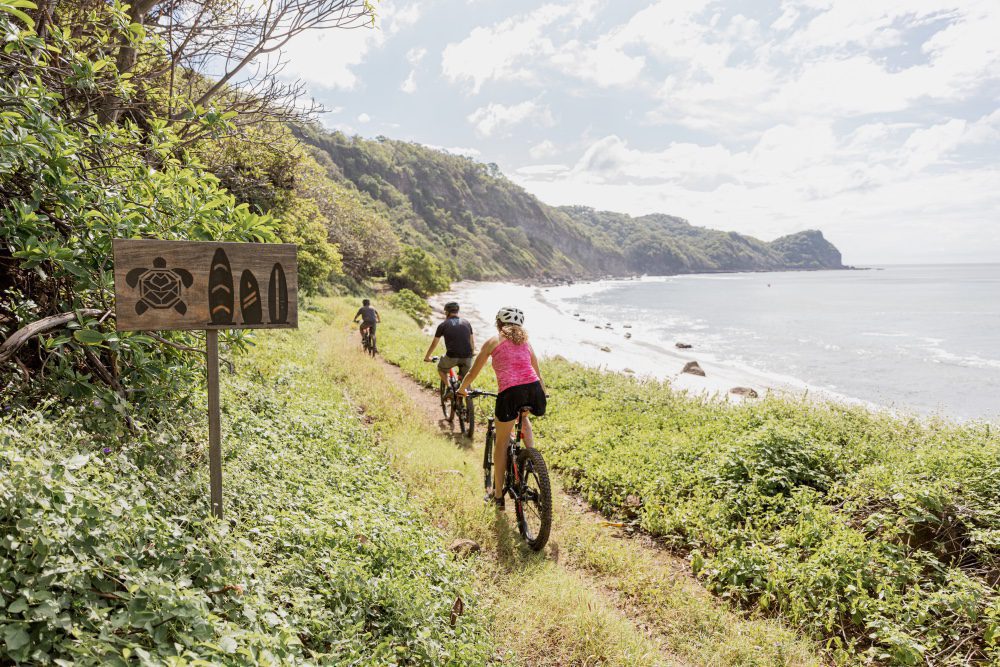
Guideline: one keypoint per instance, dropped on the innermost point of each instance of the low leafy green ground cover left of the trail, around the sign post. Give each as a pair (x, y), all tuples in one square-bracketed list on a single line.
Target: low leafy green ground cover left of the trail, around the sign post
[(111, 558)]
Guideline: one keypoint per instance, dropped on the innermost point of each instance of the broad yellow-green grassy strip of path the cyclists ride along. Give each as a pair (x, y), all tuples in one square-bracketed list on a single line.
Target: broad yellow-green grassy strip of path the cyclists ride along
[(594, 596)]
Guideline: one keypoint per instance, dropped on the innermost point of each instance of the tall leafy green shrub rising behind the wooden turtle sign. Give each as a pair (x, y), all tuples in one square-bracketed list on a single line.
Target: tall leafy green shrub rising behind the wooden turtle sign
[(70, 185)]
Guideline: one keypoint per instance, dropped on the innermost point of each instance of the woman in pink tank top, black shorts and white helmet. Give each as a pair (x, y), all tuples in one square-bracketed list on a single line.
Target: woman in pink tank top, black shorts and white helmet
[(520, 385)]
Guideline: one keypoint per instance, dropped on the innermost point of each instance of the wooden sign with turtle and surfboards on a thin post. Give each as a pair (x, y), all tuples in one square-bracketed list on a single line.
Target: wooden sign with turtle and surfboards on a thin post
[(185, 285)]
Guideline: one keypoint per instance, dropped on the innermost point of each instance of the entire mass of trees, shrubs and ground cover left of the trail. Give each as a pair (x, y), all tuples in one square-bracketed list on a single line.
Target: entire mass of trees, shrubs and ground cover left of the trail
[(108, 554)]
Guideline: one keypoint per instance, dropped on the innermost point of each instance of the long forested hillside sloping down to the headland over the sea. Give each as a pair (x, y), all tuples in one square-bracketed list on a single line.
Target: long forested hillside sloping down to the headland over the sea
[(483, 226)]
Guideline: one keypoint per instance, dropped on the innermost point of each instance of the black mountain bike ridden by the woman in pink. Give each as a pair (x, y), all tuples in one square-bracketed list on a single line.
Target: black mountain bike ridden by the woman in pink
[(526, 481)]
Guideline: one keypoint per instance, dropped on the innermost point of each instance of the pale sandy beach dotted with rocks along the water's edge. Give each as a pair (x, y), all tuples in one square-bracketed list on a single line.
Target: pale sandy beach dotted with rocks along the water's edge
[(556, 330)]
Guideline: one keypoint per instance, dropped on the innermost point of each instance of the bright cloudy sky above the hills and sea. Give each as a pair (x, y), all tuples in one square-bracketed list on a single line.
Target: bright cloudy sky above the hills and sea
[(877, 122)]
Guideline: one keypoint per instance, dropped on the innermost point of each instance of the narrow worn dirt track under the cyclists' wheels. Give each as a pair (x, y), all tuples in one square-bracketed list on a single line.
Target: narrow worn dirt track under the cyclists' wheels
[(650, 588)]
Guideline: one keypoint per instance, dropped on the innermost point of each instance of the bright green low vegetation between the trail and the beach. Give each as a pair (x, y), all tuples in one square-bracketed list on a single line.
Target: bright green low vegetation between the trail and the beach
[(878, 535)]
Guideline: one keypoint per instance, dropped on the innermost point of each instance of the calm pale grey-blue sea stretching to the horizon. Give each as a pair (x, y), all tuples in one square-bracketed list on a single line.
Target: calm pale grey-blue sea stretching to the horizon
[(922, 339)]
